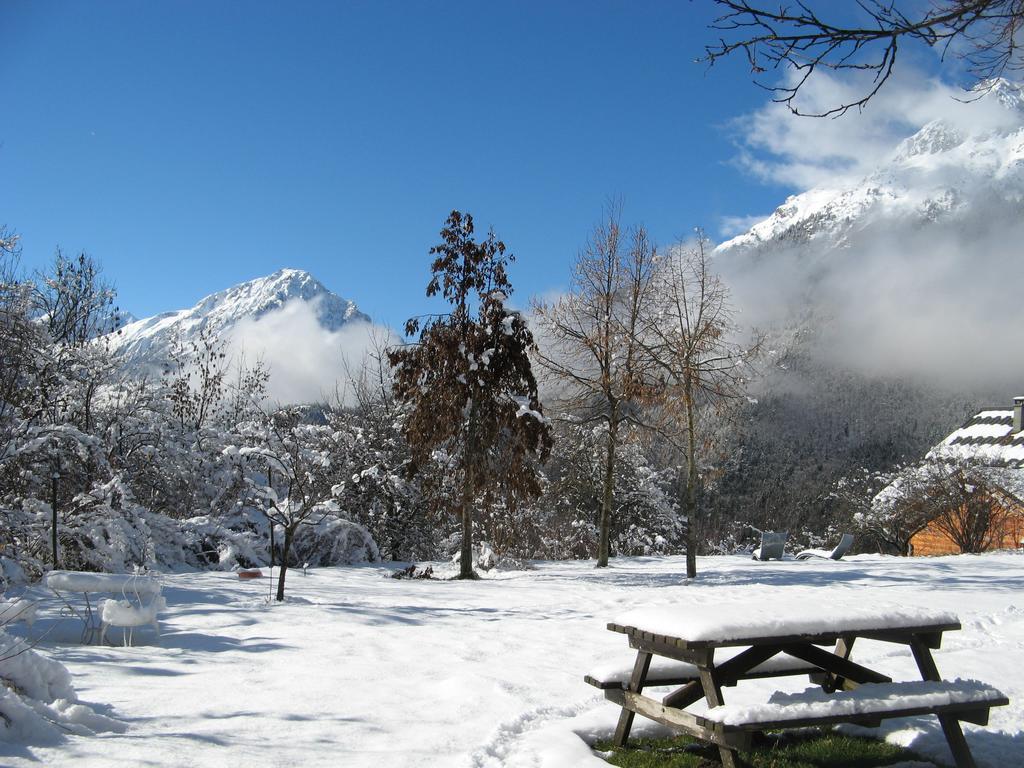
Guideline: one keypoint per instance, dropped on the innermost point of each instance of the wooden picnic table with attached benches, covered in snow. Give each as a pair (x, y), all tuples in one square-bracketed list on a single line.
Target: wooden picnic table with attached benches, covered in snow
[(677, 647)]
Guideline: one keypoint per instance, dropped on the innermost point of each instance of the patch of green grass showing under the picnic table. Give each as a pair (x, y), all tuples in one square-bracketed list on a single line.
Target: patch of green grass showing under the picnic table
[(808, 750)]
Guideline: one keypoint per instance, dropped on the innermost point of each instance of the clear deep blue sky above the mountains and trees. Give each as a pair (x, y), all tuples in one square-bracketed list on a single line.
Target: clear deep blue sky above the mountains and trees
[(192, 146)]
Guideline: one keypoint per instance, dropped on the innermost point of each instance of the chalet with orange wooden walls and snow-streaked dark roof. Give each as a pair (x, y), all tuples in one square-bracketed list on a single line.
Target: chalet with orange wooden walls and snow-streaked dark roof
[(992, 443)]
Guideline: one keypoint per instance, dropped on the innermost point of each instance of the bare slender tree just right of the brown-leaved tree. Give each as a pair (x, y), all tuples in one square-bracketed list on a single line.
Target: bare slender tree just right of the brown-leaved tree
[(591, 347)]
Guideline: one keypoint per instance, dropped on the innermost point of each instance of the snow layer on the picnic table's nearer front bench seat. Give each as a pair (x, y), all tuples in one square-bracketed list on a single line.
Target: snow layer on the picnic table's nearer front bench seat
[(869, 699)]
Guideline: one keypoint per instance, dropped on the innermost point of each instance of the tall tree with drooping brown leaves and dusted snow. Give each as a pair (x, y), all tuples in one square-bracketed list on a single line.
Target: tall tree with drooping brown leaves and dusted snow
[(467, 385)]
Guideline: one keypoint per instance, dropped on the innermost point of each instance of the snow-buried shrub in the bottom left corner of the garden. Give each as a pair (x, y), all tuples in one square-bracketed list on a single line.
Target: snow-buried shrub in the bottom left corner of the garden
[(38, 704)]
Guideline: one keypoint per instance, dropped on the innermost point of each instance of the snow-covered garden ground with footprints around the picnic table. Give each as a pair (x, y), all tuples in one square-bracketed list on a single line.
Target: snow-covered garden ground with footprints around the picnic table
[(361, 670)]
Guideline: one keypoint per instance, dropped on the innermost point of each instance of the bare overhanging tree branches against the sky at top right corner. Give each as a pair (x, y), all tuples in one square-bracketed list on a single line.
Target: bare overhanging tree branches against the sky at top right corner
[(986, 34)]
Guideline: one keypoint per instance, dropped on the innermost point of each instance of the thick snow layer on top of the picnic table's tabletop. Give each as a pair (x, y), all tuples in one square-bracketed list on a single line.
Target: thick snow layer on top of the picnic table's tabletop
[(737, 622)]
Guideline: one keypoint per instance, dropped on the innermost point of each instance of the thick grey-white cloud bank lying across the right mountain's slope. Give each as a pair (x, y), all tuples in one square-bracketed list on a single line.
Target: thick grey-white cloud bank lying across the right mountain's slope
[(943, 303)]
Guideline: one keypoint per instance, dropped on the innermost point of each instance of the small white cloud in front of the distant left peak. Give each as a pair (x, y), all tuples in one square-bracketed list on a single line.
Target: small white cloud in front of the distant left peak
[(308, 363)]
